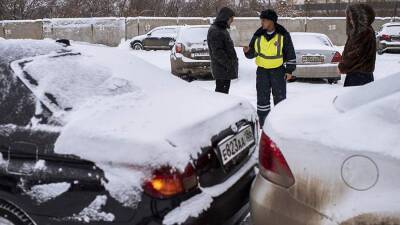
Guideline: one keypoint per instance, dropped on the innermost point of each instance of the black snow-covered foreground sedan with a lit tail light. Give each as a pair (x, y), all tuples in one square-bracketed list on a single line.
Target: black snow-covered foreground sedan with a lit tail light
[(92, 135)]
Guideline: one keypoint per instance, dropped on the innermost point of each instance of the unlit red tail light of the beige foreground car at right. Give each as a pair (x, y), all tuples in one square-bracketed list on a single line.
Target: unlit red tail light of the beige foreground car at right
[(273, 165)]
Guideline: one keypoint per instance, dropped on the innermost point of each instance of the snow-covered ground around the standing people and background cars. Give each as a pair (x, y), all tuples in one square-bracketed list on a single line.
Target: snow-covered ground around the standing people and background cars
[(245, 86)]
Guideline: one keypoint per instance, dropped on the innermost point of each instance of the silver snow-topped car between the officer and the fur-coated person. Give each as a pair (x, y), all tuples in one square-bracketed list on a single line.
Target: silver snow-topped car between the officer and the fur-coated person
[(316, 56)]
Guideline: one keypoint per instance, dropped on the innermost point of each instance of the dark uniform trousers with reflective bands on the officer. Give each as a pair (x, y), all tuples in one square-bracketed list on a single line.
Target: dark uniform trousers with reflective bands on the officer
[(269, 80)]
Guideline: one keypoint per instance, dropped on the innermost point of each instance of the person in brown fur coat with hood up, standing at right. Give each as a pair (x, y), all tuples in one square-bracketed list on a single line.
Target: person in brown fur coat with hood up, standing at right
[(359, 53)]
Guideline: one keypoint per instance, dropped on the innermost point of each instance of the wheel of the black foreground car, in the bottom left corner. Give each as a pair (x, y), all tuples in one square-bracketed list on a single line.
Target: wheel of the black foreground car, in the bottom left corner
[(12, 215)]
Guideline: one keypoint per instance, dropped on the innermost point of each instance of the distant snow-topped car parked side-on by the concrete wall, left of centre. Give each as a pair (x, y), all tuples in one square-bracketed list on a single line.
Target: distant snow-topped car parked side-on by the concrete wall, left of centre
[(159, 38)]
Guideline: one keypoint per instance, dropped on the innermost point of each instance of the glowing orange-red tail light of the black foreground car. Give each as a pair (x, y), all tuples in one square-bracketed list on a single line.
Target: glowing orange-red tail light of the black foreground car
[(167, 182)]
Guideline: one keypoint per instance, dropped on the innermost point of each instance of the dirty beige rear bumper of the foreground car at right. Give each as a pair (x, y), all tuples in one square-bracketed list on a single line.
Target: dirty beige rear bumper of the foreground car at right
[(273, 205)]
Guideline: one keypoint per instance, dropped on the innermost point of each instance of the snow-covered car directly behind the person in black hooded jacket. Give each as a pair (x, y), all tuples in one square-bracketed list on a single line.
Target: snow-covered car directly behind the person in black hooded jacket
[(190, 57)]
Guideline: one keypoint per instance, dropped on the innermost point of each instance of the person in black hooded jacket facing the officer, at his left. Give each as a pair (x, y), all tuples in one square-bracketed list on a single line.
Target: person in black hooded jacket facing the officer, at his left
[(224, 61)]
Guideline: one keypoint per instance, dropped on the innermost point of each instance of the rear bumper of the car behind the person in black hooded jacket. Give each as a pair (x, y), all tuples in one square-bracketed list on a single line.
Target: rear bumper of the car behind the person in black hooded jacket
[(191, 67)]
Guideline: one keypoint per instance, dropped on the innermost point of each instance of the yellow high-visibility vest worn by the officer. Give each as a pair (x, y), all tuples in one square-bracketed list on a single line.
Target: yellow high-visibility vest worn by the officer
[(269, 53)]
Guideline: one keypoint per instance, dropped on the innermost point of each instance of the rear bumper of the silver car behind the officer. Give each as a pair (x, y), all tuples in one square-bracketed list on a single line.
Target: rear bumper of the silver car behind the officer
[(317, 71)]
